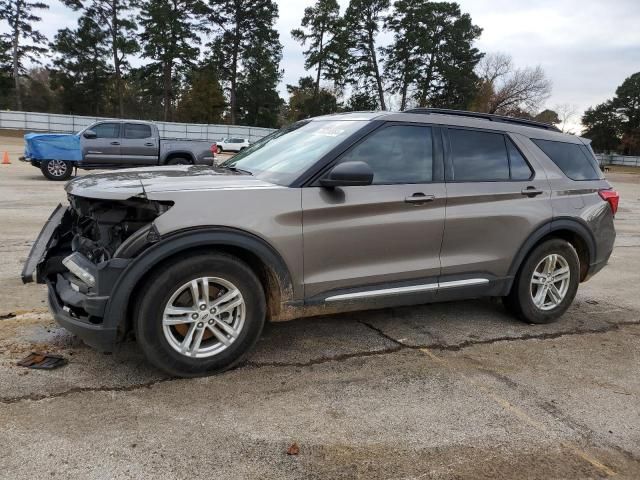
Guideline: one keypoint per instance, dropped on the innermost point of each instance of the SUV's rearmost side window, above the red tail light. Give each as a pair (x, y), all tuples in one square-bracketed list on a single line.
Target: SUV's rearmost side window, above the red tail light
[(571, 158)]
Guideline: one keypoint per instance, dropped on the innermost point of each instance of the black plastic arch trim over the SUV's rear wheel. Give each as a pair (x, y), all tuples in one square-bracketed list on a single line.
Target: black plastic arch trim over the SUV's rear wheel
[(570, 229)]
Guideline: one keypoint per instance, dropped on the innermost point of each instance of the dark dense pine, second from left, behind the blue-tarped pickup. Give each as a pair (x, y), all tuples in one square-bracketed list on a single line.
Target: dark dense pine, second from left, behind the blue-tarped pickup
[(81, 72)]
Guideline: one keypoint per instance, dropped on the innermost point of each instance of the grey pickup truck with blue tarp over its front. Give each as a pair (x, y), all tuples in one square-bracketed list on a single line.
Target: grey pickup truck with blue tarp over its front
[(110, 144)]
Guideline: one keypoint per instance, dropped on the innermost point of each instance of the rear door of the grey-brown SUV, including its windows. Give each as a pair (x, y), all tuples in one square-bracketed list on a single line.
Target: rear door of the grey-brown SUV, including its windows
[(496, 197)]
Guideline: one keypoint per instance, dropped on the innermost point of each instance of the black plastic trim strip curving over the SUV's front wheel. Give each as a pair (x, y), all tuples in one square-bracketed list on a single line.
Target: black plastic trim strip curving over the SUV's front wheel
[(117, 307)]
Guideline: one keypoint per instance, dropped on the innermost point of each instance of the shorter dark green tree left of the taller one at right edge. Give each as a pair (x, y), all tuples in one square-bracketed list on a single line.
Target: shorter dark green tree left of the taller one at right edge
[(603, 126)]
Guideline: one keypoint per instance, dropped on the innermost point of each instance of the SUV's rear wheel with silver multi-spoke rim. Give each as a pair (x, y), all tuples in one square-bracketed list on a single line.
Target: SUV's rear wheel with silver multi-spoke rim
[(528, 300)]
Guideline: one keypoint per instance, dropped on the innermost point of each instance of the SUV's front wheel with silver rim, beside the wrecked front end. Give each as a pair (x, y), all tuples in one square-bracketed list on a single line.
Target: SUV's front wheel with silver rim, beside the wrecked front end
[(161, 343)]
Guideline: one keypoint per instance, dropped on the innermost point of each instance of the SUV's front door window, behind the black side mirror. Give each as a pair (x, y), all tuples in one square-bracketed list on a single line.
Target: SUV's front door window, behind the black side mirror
[(396, 154)]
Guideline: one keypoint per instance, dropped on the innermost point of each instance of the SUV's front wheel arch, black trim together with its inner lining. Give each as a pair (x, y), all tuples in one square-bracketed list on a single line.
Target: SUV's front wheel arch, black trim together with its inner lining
[(261, 257)]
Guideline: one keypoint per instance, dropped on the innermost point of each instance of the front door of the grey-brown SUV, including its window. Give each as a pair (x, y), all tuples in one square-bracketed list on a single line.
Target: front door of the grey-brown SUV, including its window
[(383, 237)]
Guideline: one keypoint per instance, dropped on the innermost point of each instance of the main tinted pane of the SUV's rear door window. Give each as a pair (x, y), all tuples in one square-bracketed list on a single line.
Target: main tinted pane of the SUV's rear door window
[(478, 156)]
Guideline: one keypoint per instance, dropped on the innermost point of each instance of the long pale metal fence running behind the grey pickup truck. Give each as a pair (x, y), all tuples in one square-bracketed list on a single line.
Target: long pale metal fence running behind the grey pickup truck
[(55, 123)]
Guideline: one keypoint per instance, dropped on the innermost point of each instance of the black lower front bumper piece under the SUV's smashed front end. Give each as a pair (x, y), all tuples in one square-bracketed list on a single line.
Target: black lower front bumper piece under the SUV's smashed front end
[(96, 335)]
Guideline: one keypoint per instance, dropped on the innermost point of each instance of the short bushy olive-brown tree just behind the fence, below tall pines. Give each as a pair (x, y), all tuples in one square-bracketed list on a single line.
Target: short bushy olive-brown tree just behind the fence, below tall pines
[(203, 100)]
